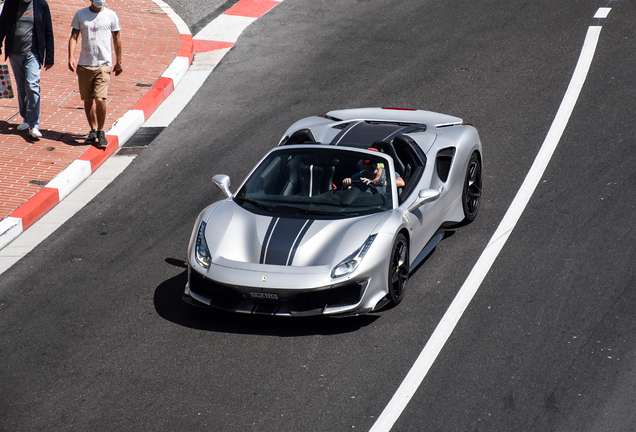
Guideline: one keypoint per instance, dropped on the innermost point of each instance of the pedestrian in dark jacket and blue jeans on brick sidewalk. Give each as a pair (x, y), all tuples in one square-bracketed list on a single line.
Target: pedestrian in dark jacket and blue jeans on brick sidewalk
[(27, 30)]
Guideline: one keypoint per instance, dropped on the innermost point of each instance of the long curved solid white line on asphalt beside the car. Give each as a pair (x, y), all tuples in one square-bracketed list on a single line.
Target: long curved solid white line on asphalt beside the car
[(466, 293)]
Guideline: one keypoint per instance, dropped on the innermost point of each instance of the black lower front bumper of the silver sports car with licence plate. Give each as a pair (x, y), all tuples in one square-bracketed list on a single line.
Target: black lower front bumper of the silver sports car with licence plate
[(339, 299)]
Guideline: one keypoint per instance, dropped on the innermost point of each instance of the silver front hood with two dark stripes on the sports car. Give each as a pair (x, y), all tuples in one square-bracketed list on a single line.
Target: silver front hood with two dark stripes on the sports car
[(235, 235)]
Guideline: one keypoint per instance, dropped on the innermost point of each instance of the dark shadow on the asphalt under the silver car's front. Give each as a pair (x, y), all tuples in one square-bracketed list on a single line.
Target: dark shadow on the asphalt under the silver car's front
[(171, 307)]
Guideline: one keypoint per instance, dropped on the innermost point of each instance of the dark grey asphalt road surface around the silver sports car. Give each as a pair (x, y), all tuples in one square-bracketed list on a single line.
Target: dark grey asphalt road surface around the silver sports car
[(93, 332)]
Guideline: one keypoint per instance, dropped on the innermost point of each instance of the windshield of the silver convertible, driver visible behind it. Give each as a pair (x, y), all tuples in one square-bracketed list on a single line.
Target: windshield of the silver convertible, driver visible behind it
[(326, 181)]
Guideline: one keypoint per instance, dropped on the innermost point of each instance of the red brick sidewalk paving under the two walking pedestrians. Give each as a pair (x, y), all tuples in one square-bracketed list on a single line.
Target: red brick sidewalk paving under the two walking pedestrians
[(150, 44)]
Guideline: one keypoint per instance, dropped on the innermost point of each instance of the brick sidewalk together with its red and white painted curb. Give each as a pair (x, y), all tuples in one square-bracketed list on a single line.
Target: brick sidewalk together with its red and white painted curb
[(158, 49)]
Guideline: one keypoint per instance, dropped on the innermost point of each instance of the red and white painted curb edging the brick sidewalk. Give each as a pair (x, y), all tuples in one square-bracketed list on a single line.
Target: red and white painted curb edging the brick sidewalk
[(214, 40)]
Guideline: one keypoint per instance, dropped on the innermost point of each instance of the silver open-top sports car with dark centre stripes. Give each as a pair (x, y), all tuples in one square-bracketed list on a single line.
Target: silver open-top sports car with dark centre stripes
[(333, 219)]
